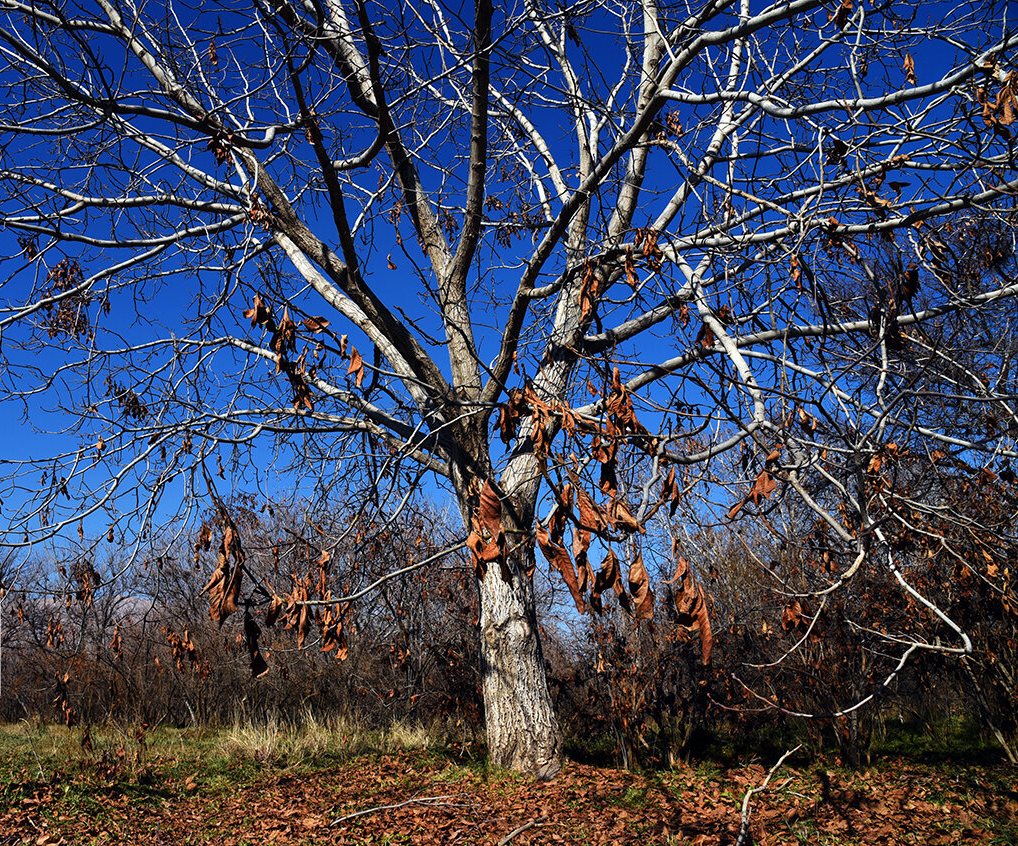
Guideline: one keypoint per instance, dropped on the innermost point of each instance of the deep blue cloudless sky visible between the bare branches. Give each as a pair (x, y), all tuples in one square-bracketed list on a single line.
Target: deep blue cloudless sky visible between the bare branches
[(191, 298)]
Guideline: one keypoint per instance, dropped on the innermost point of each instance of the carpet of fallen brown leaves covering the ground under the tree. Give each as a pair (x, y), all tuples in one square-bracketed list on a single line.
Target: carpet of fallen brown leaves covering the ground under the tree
[(893, 806)]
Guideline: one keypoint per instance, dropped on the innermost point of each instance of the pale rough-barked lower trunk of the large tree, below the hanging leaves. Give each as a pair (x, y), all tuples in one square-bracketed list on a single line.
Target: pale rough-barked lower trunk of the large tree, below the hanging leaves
[(523, 731)]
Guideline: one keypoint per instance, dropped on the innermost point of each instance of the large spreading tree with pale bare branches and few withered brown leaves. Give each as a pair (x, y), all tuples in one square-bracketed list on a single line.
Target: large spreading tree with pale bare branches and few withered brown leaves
[(433, 213)]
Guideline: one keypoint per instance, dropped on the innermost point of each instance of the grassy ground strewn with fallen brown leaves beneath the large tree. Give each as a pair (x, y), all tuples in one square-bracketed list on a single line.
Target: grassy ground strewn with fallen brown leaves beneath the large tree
[(192, 788)]
